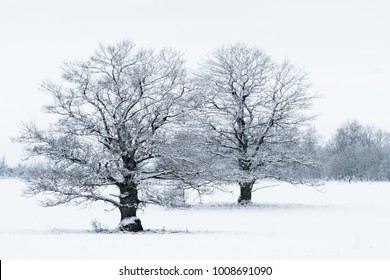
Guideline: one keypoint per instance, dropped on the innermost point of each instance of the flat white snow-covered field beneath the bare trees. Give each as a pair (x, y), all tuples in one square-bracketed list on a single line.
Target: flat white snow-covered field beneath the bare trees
[(343, 221)]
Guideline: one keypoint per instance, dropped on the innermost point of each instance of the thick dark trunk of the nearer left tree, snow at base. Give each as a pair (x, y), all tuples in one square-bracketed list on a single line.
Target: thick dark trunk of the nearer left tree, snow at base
[(129, 205)]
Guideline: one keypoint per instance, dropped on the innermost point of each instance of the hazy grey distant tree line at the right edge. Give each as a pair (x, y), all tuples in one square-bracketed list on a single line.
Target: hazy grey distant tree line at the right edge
[(356, 152)]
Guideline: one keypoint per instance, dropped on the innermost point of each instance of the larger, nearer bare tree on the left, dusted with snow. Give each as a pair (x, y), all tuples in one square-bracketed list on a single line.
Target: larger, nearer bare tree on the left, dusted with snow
[(114, 112)]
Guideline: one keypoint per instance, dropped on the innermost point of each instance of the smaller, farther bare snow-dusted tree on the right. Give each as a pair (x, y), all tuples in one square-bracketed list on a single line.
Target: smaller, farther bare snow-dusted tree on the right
[(254, 110)]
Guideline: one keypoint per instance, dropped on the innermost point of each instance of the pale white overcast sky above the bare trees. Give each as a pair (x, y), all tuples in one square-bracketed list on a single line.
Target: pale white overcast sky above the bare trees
[(344, 44)]
